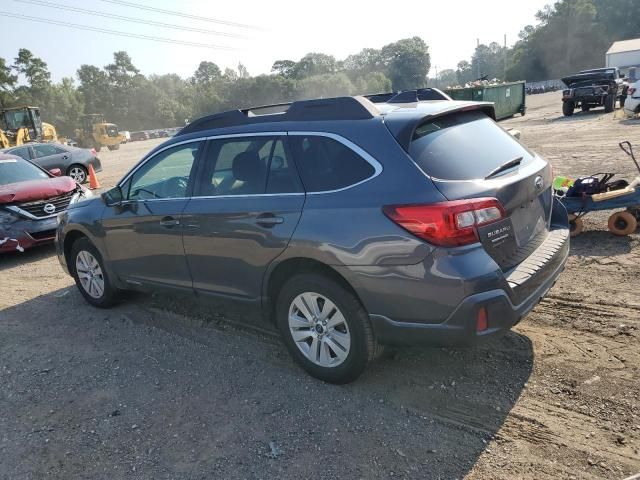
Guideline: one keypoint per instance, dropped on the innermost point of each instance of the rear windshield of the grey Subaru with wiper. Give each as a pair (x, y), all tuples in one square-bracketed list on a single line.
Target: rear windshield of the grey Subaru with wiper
[(463, 146)]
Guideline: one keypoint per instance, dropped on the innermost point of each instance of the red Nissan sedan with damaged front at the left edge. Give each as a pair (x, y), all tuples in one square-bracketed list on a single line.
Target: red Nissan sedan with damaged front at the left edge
[(30, 200)]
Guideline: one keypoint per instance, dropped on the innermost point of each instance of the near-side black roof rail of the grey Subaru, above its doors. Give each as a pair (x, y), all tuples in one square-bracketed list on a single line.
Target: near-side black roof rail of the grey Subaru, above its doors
[(338, 108)]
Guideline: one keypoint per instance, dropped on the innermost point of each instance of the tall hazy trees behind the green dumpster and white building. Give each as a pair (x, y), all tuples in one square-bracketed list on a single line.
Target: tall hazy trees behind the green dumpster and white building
[(570, 35)]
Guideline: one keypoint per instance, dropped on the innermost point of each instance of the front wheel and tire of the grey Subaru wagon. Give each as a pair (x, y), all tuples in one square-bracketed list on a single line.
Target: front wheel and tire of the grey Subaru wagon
[(90, 275)]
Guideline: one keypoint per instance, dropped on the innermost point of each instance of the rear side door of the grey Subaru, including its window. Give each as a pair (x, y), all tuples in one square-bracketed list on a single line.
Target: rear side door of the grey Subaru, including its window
[(242, 214)]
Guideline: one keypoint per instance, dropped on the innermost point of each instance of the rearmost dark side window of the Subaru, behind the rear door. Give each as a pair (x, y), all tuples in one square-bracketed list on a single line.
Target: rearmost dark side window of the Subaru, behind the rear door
[(326, 164)]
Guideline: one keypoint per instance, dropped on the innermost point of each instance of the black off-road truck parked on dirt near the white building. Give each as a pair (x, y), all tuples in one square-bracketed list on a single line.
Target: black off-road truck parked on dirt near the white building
[(599, 87)]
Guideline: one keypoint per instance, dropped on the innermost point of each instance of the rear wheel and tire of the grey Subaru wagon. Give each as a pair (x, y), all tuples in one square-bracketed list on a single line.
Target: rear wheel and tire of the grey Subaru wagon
[(351, 334)]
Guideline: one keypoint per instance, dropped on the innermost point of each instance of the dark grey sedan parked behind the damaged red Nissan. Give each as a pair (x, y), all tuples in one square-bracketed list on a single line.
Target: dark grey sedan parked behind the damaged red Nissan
[(72, 161)]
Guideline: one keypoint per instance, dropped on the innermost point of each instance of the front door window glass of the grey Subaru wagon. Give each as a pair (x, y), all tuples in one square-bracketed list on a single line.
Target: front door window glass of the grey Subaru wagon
[(166, 175)]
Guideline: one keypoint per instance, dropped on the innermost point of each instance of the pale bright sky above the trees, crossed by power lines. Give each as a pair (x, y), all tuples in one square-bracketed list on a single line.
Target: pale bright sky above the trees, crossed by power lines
[(258, 32)]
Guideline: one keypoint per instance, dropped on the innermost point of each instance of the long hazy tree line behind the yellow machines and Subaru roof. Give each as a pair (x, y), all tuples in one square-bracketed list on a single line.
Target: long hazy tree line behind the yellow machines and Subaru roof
[(134, 101)]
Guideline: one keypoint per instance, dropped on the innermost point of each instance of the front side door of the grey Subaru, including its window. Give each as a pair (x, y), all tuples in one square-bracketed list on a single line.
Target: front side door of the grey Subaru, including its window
[(143, 234)]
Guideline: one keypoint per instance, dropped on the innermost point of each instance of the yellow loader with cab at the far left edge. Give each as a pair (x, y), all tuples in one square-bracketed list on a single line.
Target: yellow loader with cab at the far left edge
[(20, 125)]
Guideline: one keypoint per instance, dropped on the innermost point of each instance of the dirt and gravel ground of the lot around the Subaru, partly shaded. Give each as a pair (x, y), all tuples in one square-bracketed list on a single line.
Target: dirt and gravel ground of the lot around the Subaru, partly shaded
[(167, 388)]
